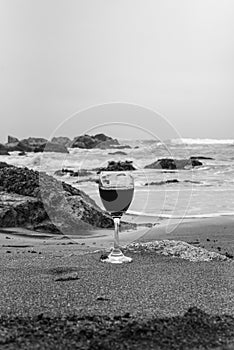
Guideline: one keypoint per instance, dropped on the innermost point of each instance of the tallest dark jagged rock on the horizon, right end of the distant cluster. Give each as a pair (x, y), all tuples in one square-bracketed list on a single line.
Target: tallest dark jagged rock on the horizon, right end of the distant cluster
[(96, 141)]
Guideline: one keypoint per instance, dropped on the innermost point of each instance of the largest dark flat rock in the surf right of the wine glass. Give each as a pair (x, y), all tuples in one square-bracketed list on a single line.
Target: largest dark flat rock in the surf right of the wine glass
[(168, 163)]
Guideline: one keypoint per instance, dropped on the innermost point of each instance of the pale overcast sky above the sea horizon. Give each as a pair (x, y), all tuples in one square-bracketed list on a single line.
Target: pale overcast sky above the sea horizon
[(60, 56)]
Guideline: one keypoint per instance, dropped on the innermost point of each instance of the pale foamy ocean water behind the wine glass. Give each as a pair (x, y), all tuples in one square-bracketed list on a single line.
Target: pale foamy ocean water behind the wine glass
[(204, 191)]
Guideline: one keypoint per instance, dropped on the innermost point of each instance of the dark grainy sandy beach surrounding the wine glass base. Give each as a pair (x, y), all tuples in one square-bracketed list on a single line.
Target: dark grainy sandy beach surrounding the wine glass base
[(59, 277)]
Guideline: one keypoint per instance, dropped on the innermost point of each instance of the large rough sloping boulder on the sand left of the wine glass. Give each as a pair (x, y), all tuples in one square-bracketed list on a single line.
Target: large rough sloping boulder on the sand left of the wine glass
[(40, 202)]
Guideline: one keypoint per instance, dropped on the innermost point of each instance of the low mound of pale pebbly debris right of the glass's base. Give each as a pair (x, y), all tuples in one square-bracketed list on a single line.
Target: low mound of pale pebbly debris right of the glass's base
[(177, 249)]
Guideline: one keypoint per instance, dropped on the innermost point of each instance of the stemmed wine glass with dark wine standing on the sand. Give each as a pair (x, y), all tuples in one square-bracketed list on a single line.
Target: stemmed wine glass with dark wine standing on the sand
[(116, 190)]
